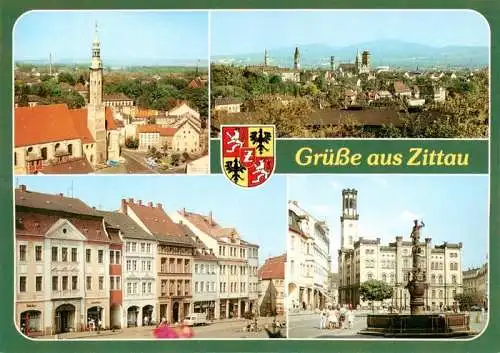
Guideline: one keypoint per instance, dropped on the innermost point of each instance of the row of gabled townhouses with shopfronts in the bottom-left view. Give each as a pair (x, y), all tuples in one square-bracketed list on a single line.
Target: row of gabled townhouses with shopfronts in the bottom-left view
[(76, 264)]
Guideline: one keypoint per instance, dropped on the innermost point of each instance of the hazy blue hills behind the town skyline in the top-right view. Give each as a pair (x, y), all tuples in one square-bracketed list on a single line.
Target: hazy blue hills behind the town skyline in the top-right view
[(392, 53)]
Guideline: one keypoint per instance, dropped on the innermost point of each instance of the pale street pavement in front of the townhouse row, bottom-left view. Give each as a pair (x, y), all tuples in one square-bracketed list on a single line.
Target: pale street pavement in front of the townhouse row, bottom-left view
[(218, 329)]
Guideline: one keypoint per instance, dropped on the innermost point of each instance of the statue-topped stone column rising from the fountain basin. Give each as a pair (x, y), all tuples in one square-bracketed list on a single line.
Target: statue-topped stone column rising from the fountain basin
[(417, 283)]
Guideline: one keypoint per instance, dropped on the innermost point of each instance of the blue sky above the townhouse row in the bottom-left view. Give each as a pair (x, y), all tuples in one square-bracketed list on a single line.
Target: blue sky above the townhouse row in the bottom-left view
[(259, 214)]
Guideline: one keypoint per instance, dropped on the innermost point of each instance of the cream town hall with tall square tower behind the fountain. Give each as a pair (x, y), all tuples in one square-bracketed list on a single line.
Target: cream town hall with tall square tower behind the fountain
[(363, 259)]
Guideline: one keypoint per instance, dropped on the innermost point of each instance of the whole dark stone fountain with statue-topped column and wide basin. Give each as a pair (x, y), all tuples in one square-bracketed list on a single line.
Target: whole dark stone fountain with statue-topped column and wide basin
[(418, 323)]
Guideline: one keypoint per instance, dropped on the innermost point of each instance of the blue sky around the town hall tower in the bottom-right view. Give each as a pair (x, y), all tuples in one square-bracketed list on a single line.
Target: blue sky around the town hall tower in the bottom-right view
[(454, 208)]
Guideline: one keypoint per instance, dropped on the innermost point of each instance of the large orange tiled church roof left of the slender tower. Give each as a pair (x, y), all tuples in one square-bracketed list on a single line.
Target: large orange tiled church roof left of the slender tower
[(42, 124)]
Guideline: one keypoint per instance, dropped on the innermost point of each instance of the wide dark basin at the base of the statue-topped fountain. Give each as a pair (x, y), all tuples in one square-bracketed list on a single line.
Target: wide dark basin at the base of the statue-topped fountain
[(418, 326)]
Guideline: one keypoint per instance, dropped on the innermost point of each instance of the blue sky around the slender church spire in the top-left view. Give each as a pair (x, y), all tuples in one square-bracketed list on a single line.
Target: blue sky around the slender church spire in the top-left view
[(132, 36)]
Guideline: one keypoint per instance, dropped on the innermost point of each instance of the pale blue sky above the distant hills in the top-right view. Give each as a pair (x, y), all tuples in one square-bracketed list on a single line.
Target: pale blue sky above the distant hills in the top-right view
[(278, 29)]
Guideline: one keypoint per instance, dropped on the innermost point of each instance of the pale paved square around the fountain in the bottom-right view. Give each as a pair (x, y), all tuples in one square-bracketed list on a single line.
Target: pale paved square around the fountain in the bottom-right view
[(306, 325)]
